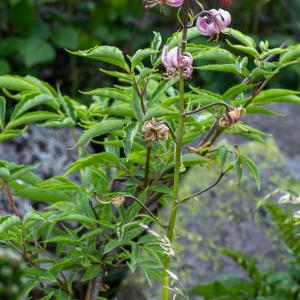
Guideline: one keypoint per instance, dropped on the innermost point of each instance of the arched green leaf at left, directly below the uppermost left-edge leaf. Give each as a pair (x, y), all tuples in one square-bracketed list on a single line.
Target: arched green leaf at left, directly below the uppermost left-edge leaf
[(30, 101)]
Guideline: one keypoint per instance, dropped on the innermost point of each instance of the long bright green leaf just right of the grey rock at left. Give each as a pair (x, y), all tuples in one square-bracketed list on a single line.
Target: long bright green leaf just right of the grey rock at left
[(93, 160)]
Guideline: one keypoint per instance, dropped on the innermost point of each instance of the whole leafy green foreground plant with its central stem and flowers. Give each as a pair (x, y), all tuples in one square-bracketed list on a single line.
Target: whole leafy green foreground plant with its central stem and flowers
[(99, 222)]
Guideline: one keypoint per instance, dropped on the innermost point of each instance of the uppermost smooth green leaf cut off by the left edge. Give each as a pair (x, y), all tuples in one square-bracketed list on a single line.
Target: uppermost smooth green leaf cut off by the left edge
[(16, 83)]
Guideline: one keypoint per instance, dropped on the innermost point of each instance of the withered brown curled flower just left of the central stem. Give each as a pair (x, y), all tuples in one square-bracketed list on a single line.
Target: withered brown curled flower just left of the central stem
[(155, 131)]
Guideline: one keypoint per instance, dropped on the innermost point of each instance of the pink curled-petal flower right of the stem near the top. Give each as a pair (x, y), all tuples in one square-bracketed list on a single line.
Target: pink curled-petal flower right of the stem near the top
[(214, 22)]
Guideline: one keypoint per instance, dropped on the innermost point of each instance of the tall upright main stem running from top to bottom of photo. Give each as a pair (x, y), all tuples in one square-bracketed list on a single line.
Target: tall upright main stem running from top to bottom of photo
[(177, 162)]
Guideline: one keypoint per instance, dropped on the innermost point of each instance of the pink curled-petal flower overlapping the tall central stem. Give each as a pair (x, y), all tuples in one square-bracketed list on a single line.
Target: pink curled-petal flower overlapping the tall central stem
[(177, 63)]
